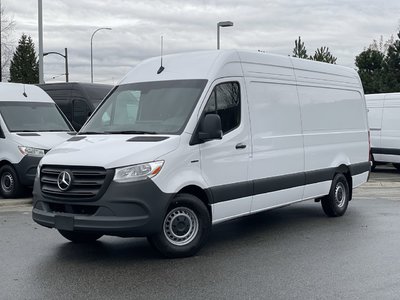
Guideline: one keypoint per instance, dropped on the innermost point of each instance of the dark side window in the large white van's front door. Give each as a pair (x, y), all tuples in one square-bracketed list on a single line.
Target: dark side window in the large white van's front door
[(225, 101)]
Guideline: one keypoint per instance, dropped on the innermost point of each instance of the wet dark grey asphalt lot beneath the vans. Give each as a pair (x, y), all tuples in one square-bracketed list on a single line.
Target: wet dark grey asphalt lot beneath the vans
[(289, 253)]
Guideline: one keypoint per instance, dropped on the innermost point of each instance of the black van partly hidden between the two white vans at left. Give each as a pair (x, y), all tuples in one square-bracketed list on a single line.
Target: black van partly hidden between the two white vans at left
[(77, 100)]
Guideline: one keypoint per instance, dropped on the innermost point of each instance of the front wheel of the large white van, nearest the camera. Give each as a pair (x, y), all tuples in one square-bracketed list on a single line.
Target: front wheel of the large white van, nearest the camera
[(186, 227)]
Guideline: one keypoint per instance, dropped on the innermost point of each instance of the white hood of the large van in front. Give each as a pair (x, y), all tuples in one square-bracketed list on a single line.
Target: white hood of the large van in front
[(110, 151)]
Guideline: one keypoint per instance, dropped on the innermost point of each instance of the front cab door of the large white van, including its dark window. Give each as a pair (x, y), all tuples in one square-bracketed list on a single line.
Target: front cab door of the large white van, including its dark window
[(224, 163)]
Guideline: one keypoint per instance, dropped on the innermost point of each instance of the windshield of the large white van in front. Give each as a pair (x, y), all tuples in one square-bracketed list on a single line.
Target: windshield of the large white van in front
[(149, 107)]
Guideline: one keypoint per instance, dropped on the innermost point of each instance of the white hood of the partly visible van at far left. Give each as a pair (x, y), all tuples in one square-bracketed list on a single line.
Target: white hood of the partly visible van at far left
[(40, 140)]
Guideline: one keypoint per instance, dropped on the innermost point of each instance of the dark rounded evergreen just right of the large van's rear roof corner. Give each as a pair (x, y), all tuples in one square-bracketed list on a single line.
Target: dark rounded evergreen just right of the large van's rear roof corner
[(370, 69)]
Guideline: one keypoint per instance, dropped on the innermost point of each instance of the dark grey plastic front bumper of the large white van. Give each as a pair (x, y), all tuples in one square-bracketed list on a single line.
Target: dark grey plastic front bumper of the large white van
[(125, 209)]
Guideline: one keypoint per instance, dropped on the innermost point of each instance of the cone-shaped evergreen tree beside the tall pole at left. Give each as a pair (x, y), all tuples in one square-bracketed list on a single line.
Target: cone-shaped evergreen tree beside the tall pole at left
[(24, 66)]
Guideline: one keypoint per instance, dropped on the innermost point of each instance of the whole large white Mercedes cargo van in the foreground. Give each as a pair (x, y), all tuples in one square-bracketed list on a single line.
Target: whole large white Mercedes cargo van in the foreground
[(204, 138)]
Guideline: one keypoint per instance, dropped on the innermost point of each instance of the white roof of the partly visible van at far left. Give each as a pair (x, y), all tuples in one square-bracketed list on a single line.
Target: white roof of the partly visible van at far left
[(22, 92)]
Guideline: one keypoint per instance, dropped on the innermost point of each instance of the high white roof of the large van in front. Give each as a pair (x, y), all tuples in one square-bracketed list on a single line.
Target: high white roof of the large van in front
[(229, 63)]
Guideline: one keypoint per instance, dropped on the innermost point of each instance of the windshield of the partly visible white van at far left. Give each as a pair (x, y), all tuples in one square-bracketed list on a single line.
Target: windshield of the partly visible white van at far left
[(32, 117)]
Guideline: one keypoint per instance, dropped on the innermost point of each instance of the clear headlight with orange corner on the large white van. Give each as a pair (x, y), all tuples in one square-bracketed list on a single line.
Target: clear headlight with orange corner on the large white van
[(138, 172)]
